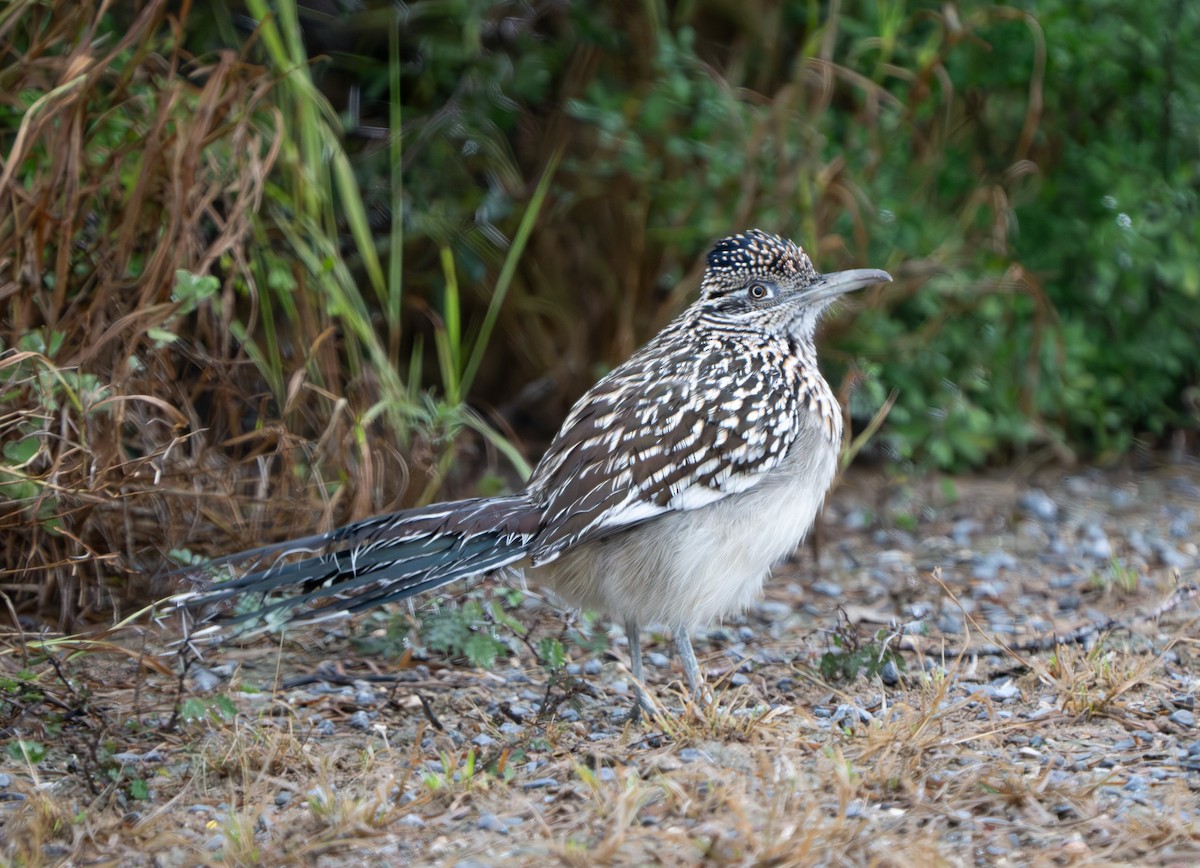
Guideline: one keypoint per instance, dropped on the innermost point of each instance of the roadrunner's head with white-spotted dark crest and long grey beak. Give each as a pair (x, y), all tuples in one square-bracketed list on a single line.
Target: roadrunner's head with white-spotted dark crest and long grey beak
[(767, 283)]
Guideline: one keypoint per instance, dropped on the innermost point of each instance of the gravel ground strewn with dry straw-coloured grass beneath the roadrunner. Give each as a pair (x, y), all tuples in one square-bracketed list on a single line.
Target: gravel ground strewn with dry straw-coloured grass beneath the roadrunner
[(967, 737)]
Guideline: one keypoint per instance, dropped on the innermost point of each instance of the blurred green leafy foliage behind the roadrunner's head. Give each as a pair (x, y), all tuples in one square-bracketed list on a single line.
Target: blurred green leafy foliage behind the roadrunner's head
[(1031, 182)]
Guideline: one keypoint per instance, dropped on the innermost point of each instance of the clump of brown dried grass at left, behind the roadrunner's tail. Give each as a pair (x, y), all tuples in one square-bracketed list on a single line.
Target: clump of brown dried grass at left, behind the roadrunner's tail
[(134, 420)]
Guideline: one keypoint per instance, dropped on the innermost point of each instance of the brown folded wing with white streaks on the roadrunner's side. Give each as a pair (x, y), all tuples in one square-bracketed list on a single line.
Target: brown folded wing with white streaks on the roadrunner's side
[(665, 433)]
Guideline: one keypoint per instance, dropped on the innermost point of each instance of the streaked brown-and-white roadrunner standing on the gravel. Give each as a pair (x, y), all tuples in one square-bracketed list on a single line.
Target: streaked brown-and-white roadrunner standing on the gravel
[(673, 488)]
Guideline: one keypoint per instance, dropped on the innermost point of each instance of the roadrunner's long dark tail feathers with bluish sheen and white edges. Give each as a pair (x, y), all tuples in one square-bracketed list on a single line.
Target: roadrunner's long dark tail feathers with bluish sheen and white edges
[(371, 562)]
